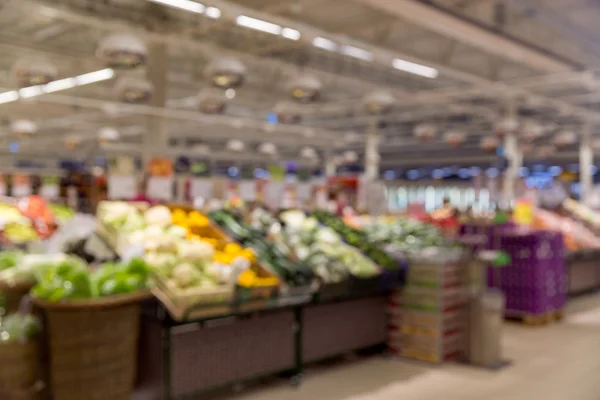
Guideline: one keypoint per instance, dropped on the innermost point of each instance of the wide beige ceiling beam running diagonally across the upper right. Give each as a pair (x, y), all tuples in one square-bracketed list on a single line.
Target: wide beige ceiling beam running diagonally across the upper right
[(448, 25)]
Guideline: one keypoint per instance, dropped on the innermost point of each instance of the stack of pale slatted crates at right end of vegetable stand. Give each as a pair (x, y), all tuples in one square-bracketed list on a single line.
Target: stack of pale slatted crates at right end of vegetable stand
[(427, 316)]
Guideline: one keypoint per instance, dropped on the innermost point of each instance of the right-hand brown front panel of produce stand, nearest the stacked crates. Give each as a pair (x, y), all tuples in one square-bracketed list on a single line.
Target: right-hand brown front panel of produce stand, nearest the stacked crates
[(337, 328)]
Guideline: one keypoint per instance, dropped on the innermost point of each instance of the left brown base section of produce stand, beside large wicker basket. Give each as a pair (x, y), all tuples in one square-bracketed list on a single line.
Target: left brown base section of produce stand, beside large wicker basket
[(199, 357)]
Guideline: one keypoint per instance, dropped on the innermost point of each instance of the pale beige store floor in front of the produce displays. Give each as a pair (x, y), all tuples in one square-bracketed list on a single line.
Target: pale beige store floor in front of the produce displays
[(557, 362)]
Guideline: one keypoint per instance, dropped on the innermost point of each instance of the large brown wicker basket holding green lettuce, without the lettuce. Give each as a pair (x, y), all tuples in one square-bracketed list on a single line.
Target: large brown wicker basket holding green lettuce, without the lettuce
[(93, 347)]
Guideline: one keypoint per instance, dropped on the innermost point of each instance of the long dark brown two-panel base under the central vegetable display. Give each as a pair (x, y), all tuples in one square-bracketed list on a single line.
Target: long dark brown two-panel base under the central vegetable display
[(230, 345)]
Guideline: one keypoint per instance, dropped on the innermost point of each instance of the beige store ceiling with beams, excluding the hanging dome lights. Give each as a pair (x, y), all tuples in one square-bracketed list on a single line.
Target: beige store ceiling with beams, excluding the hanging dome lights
[(537, 55)]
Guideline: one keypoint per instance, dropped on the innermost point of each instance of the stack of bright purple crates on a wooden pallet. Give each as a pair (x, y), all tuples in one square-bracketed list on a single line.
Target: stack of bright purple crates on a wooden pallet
[(535, 281)]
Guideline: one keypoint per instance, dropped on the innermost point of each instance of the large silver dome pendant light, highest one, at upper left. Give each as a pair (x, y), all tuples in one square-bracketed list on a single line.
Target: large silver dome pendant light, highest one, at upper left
[(122, 51)]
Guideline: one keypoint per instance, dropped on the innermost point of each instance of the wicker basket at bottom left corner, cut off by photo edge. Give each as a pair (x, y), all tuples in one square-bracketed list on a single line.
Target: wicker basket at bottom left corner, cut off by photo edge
[(19, 365)]
